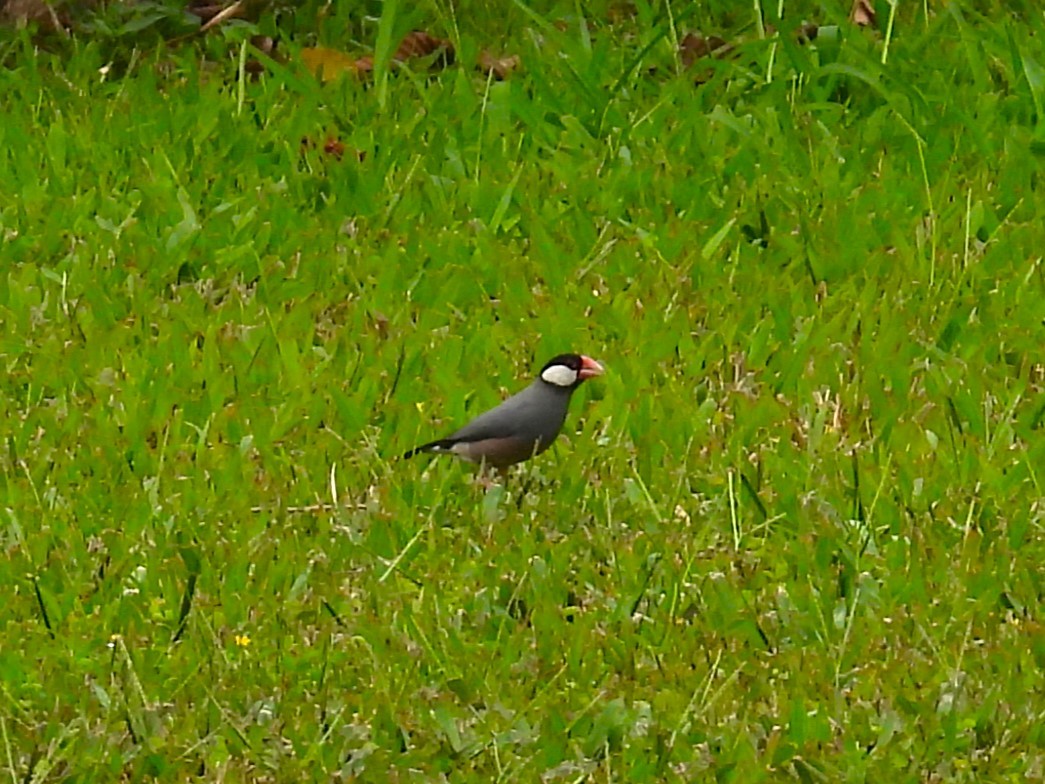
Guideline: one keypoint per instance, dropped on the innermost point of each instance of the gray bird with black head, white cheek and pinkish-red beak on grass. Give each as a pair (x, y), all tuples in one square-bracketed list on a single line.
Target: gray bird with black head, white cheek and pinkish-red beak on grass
[(523, 426)]
